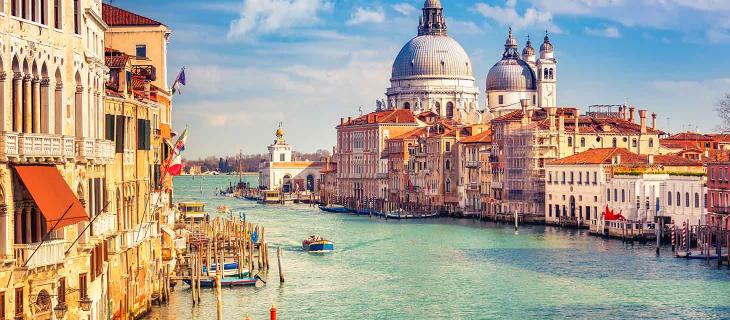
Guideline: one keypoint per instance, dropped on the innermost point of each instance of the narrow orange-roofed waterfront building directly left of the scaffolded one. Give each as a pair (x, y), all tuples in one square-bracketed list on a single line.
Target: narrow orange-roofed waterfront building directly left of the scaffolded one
[(475, 171)]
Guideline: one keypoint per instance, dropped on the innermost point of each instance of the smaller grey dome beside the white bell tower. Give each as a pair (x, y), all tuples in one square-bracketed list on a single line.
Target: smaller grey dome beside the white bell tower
[(511, 75)]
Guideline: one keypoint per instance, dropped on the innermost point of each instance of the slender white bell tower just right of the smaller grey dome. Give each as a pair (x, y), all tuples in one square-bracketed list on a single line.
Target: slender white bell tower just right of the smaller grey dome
[(547, 75)]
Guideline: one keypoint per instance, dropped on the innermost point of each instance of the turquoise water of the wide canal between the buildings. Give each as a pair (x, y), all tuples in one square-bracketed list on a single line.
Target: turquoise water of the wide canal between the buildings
[(452, 269)]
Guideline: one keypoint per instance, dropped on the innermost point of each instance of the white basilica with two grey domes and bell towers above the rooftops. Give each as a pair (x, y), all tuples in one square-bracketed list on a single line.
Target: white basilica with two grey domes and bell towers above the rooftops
[(434, 73)]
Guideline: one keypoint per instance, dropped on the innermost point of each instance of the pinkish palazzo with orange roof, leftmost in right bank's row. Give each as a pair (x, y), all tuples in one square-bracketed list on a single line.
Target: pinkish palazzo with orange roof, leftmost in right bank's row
[(360, 151)]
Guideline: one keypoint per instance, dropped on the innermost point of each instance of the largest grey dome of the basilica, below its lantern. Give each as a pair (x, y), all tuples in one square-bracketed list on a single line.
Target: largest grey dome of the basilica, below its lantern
[(432, 56)]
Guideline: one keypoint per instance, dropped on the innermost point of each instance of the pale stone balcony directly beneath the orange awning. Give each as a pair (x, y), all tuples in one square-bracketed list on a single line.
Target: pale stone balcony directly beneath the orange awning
[(50, 253)]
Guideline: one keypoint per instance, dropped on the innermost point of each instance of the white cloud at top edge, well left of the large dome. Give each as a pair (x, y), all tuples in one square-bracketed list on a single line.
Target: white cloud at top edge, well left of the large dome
[(269, 16)]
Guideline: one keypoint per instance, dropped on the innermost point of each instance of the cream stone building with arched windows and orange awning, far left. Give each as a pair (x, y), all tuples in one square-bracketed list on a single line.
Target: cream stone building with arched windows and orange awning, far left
[(54, 160)]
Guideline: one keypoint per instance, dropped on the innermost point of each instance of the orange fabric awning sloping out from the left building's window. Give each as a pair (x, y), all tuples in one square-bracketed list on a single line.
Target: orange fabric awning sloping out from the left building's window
[(52, 195)]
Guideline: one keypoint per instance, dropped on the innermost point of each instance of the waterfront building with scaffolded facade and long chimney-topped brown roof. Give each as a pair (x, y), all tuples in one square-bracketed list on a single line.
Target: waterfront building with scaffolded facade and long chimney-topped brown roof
[(524, 140)]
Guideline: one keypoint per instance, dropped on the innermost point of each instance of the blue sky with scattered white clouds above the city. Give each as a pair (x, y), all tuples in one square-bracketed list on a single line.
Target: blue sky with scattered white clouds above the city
[(253, 63)]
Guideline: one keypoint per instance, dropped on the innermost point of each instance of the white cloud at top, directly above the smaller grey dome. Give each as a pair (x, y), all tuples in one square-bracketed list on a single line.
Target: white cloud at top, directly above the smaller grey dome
[(509, 16)]
